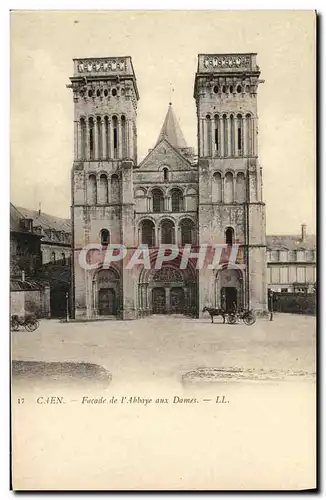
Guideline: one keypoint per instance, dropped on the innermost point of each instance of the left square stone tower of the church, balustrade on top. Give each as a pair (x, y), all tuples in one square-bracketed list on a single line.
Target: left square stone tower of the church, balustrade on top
[(105, 151)]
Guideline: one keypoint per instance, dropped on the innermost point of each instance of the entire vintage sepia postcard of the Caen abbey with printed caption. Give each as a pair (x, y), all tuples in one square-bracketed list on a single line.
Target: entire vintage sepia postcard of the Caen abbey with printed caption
[(163, 250)]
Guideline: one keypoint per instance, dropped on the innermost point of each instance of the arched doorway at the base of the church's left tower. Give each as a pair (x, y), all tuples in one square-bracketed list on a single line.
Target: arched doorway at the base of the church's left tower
[(106, 293)]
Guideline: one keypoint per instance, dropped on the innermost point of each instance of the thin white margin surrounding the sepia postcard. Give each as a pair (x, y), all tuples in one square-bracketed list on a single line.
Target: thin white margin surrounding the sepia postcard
[(4, 185)]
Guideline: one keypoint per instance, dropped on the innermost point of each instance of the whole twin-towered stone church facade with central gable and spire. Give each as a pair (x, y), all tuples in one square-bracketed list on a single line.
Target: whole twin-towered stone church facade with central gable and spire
[(172, 197)]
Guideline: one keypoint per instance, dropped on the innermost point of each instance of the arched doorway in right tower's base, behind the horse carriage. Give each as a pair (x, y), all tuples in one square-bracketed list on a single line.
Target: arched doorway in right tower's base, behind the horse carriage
[(229, 289)]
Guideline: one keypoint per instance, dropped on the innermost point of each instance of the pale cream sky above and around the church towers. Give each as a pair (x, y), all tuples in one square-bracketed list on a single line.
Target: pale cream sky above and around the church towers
[(164, 47)]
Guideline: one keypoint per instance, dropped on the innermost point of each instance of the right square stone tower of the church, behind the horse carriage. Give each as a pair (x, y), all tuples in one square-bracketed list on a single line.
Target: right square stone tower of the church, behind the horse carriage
[(231, 209)]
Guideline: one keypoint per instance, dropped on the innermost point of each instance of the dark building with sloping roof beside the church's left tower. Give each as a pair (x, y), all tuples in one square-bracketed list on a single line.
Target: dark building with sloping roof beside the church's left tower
[(40, 262)]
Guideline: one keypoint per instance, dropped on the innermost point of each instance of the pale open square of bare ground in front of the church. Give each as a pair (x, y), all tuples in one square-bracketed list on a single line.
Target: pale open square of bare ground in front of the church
[(169, 346)]
